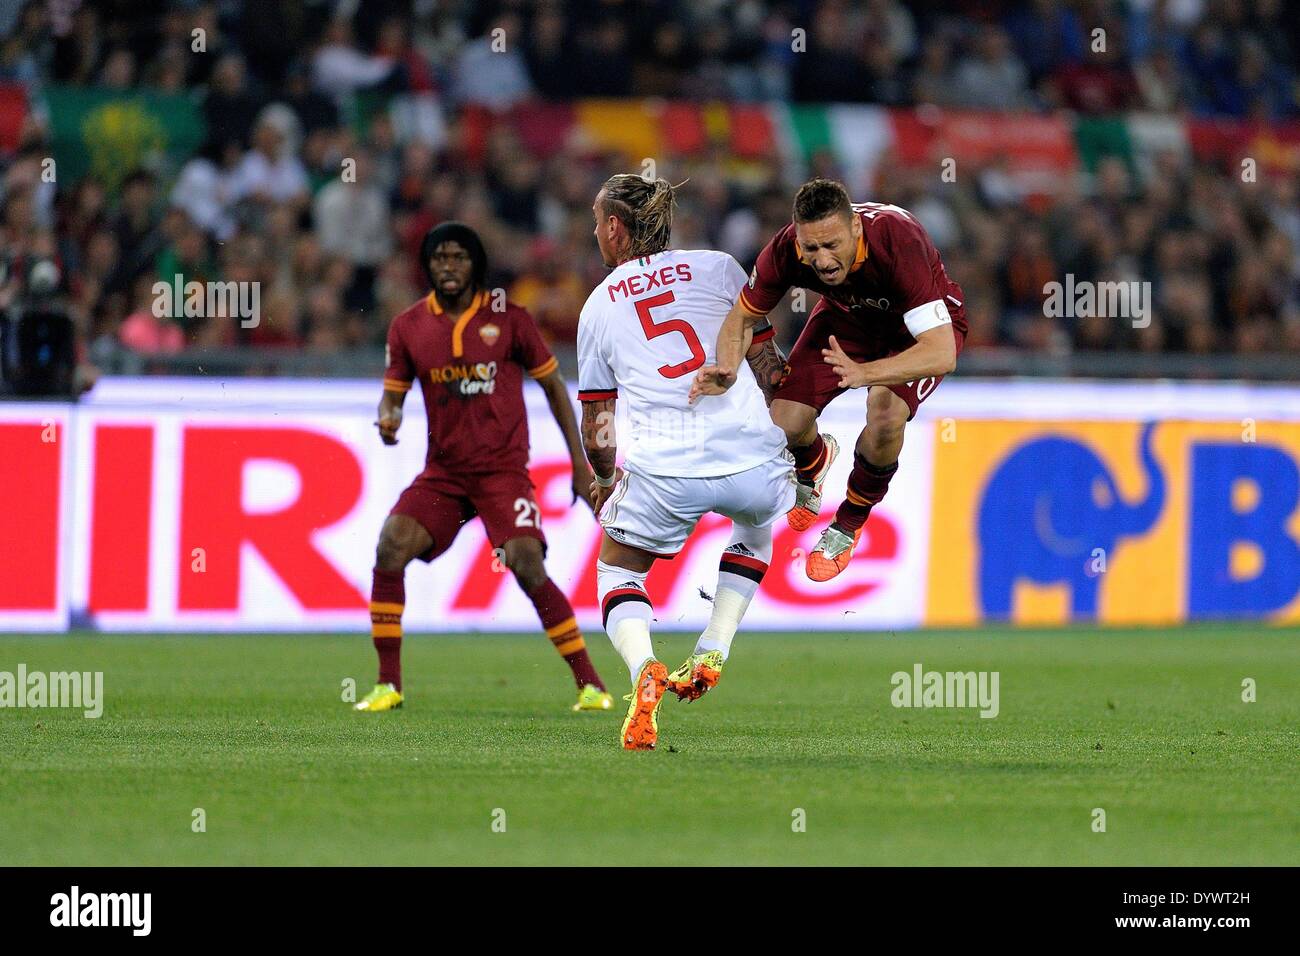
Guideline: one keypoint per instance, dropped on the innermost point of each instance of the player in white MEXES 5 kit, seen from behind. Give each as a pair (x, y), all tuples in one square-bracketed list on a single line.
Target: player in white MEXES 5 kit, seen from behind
[(642, 338)]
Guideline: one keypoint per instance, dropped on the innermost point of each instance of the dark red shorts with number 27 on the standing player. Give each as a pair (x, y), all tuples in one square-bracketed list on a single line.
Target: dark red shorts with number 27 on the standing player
[(443, 504)]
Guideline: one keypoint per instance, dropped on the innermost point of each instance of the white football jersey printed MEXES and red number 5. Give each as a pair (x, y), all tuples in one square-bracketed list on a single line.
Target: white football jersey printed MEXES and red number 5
[(643, 336)]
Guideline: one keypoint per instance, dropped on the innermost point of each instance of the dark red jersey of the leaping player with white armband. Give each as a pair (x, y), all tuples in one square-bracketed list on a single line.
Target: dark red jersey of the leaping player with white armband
[(896, 271)]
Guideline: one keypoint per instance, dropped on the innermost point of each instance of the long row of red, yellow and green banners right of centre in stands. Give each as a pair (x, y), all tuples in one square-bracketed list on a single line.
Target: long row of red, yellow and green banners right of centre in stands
[(1035, 152)]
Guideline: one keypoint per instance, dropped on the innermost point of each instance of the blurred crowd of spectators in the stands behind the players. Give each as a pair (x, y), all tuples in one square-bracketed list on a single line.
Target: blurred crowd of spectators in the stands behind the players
[(283, 90)]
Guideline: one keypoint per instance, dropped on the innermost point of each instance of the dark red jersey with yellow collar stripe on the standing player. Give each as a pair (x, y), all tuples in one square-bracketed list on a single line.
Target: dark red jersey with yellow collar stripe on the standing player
[(473, 379)]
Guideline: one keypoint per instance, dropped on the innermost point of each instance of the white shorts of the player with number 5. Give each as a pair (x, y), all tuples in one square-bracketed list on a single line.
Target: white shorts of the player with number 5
[(657, 513)]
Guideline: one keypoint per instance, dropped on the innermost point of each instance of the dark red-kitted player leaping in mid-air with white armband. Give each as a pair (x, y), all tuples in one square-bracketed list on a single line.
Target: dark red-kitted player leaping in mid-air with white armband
[(890, 321)]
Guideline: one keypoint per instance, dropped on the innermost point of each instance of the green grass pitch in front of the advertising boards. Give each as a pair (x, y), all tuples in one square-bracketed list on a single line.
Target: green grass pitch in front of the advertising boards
[(1147, 725)]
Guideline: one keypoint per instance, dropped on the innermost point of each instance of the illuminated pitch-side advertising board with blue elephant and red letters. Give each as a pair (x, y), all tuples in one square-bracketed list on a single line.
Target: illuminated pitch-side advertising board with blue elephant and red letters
[(183, 505)]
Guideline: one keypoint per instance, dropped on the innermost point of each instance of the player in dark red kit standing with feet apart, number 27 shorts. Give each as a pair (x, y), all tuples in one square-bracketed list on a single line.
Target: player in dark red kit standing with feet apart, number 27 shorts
[(471, 354)]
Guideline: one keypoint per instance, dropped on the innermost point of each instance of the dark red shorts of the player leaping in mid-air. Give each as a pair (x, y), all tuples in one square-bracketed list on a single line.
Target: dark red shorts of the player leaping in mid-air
[(813, 382)]
